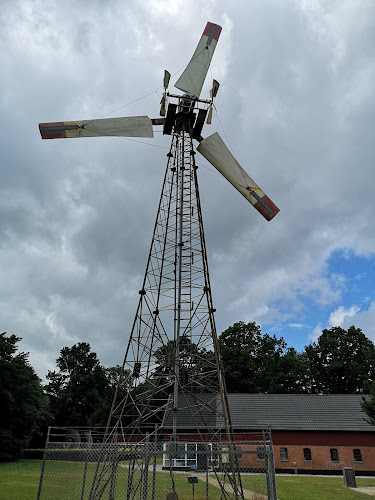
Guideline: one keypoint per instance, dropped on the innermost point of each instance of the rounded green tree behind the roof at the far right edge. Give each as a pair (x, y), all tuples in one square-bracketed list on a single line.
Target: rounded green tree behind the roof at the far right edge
[(342, 361)]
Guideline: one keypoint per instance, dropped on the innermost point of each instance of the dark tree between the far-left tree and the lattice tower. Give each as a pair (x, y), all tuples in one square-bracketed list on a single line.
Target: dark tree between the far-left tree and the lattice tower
[(80, 392)]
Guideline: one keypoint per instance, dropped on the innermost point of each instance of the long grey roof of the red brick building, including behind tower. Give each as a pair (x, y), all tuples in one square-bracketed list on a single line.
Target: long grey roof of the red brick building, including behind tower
[(307, 412)]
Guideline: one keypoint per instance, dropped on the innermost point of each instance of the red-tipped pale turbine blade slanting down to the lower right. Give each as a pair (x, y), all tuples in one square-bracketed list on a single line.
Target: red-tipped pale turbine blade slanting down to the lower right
[(216, 152)]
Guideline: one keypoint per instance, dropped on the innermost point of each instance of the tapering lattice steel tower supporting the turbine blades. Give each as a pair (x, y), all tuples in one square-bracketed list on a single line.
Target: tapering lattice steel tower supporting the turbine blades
[(172, 371)]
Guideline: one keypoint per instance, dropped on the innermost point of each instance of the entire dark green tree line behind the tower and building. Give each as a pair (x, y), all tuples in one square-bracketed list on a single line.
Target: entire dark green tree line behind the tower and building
[(80, 391)]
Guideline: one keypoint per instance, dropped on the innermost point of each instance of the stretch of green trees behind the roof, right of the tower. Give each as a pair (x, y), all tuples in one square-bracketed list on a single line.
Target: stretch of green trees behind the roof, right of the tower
[(341, 361)]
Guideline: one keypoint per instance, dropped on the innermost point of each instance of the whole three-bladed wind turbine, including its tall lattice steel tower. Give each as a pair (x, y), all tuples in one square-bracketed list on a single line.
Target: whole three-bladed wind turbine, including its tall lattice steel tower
[(172, 378)]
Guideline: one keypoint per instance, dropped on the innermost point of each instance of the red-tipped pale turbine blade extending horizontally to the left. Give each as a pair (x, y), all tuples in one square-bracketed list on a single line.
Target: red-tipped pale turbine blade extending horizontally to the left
[(130, 126)]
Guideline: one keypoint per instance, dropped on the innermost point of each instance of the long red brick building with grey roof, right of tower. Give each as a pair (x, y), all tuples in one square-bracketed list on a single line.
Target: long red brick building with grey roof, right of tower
[(311, 433)]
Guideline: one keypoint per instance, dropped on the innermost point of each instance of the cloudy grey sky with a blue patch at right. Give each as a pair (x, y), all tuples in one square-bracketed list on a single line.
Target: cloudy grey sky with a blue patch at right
[(297, 104)]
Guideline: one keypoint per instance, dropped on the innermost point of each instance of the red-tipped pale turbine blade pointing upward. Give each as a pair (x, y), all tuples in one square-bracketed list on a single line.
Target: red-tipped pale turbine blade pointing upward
[(192, 79)]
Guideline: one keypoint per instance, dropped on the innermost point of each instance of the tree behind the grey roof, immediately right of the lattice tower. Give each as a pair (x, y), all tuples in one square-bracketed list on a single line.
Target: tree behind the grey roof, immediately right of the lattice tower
[(260, 363)]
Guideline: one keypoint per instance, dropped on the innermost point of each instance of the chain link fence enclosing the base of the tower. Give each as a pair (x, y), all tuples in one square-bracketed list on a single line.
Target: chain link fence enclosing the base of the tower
[(78, 465)]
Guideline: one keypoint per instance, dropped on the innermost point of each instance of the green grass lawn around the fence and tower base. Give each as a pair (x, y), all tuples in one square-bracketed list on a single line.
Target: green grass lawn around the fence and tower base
[(19, 481)]
